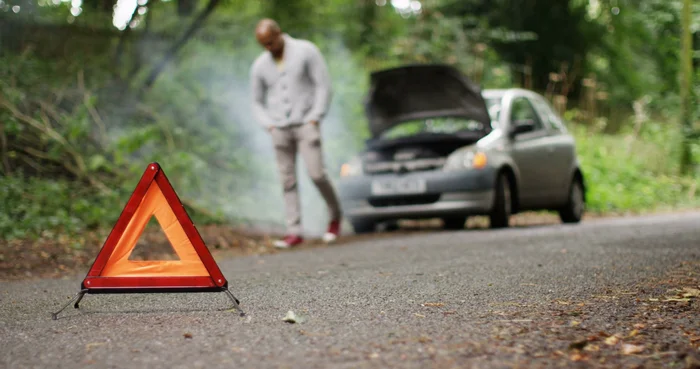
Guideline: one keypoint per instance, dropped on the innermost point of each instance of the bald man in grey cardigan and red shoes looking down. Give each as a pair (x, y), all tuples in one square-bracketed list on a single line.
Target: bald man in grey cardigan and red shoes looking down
[(291, 90)]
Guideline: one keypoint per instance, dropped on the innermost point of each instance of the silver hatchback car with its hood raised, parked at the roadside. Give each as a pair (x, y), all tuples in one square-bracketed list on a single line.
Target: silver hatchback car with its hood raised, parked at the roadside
[(441, 148)]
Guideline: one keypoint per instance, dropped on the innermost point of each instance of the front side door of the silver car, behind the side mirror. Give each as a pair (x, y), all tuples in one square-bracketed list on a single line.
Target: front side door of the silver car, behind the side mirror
[(530, 152)]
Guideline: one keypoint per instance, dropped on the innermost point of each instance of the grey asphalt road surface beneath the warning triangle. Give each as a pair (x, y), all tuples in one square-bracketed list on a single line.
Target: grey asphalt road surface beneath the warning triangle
[(424, 300)]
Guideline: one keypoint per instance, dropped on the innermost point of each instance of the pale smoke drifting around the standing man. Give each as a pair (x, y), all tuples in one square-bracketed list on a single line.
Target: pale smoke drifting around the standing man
[(254, 194)]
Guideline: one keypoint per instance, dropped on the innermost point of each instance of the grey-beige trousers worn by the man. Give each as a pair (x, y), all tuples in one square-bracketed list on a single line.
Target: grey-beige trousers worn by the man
[(304, 139)]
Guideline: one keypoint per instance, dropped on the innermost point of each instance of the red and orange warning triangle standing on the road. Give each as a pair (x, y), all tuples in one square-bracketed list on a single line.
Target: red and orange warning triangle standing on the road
[(196, 269)]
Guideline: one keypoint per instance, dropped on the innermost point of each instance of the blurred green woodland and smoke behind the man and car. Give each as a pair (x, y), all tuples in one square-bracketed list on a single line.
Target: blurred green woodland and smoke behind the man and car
[(91, 91)]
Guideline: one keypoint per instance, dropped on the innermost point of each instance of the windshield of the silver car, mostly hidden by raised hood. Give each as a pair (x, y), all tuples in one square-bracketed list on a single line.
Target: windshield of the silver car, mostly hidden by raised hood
[(445, 125)]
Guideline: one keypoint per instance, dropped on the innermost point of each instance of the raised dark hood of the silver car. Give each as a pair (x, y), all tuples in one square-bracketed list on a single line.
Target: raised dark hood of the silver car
[(422, 91)]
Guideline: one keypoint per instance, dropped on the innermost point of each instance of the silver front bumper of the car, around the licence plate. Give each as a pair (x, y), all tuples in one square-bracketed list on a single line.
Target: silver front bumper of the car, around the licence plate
[(445, 194)]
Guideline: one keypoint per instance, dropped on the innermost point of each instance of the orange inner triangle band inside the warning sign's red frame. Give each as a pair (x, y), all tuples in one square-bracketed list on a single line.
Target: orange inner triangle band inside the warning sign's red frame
[(154, 204)]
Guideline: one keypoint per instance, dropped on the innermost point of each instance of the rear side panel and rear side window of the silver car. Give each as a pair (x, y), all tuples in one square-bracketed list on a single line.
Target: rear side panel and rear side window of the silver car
[(561, 148)]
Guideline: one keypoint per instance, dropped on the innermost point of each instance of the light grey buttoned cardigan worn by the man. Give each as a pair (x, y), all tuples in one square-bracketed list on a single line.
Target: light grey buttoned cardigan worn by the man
[(299, 93)]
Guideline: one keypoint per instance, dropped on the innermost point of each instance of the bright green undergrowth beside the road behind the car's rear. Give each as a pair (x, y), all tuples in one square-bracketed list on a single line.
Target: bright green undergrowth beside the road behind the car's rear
[(628, 173)]
